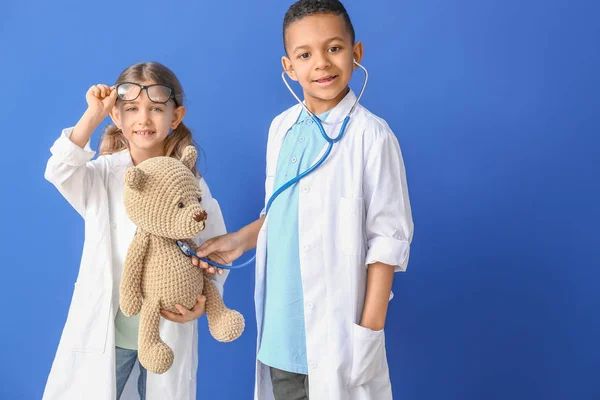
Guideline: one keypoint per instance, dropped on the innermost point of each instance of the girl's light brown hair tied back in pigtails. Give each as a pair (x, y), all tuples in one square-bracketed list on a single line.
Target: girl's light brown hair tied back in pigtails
[(113, 140)]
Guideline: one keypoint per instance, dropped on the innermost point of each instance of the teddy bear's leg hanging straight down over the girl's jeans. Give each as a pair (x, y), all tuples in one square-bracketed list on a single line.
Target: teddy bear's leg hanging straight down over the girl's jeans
[(154, 354)]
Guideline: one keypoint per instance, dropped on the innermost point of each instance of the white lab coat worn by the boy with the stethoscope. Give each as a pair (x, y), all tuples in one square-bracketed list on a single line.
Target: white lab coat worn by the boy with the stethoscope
[(353, 211)]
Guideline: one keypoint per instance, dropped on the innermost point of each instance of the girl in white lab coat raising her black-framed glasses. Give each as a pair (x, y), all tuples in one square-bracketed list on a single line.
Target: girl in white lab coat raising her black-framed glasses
[(98, 347)]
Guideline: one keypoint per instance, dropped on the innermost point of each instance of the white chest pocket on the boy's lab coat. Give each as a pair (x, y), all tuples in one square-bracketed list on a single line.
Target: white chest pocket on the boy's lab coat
[(349, 236)]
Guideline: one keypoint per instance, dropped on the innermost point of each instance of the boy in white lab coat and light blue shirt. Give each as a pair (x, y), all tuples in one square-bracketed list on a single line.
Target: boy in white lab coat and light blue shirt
[(324, 271)]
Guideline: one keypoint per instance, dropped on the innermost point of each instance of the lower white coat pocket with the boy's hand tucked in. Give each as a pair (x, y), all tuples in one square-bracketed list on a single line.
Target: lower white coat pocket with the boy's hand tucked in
[(368, 355)]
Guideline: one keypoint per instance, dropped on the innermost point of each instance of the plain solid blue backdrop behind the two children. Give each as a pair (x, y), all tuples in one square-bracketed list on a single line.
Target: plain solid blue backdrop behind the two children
[(496, 107)]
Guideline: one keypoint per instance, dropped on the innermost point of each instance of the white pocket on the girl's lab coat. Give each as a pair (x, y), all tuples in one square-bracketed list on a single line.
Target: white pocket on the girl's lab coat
[(87, 323)]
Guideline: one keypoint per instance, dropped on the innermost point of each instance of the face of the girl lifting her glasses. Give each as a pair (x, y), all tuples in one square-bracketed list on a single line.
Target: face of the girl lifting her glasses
[(146, 124)]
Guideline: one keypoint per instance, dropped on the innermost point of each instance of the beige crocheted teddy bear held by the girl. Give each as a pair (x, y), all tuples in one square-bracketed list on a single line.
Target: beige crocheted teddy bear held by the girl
[(162, 197)]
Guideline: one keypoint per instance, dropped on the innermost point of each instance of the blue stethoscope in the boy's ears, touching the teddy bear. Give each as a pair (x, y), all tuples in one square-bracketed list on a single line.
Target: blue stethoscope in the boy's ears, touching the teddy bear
[(188, 251)]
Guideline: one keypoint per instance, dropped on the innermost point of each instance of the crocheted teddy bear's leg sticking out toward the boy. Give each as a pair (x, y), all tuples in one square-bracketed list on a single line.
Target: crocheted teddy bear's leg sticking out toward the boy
[(224, 324)]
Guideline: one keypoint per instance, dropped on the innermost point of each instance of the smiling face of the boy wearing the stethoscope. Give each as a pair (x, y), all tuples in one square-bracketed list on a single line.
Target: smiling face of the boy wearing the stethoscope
[(319, 56)]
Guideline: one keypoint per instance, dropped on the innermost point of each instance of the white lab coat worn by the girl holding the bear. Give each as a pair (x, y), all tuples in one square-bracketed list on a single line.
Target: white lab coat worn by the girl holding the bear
[(84, 365)]
